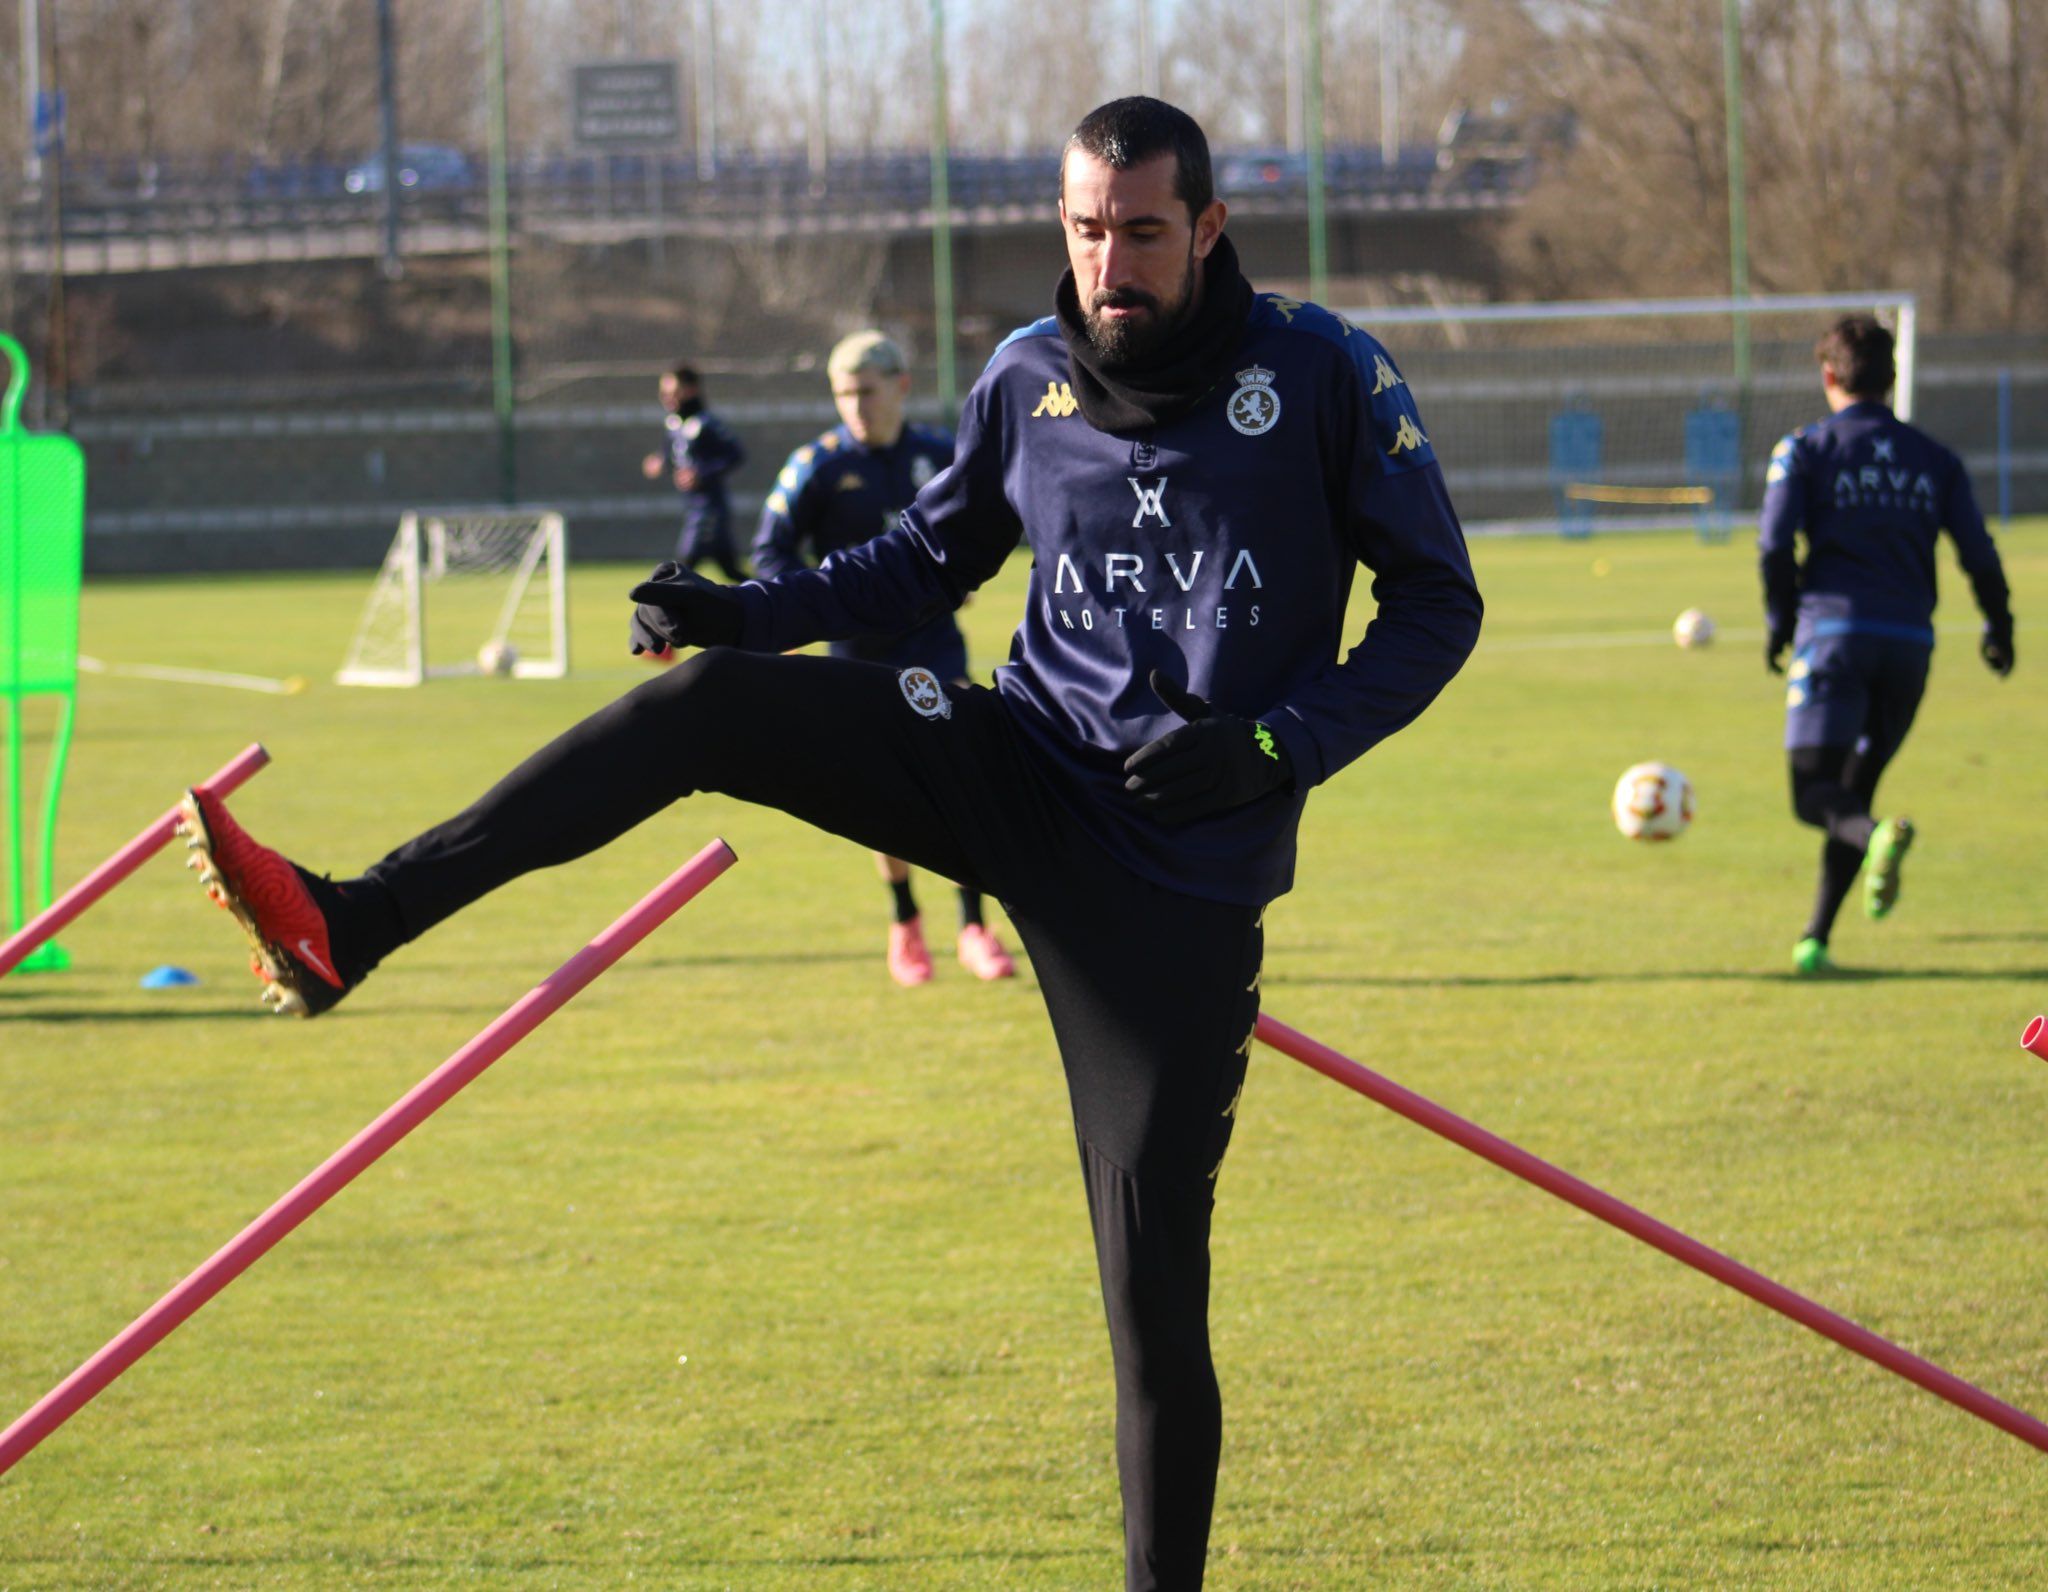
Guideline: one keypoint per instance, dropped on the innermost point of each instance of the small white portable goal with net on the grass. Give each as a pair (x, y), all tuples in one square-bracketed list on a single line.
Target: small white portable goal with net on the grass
[(495, 587)]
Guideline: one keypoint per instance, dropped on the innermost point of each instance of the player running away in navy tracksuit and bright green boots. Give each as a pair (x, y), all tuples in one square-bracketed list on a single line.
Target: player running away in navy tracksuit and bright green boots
[(1871, 495)]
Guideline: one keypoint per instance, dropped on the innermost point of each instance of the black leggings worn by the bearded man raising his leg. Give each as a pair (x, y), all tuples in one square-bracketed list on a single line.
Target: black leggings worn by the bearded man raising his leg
[(1152, 993)]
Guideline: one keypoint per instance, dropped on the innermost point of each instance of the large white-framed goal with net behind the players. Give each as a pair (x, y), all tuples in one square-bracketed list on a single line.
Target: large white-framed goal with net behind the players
[(1631, 415)]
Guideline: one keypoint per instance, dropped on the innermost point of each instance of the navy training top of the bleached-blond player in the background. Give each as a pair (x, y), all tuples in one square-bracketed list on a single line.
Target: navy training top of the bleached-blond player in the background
[(837, 493)]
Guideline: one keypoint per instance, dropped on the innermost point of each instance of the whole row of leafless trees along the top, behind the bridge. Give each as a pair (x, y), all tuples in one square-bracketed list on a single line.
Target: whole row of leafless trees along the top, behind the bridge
[(1889, 142)]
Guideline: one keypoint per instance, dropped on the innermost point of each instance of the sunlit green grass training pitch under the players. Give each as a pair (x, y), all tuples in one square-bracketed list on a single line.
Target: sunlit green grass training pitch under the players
[(755, 1271)]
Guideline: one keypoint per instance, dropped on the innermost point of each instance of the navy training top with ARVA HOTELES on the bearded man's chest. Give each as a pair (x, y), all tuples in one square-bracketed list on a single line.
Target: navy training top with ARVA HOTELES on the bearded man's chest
[(1218, 548)]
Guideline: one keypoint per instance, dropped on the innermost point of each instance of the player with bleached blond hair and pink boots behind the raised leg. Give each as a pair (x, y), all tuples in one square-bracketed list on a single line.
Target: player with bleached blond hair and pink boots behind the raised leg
[(839, 493)]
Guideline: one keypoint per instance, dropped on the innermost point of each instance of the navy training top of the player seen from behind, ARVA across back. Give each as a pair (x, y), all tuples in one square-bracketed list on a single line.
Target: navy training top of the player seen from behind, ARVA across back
[(1873, 495)]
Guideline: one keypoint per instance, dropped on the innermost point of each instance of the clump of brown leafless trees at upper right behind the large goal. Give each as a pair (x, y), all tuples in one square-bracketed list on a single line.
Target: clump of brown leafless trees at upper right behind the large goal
[(1887, 146)]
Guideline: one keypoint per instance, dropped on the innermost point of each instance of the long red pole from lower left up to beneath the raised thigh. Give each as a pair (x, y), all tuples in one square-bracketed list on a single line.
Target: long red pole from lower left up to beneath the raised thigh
[(341, 1169)]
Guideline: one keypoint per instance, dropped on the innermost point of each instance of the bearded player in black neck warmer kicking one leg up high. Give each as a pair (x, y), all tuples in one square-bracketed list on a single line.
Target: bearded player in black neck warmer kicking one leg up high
[(1201, 472)]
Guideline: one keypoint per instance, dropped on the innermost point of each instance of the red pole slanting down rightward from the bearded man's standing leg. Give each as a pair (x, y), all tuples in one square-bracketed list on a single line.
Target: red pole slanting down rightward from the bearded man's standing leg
[(1633, 1222)]
